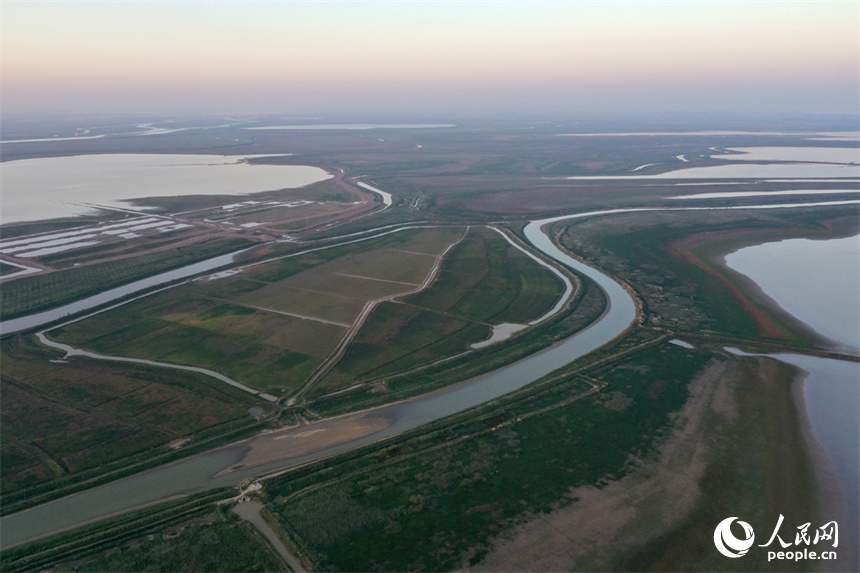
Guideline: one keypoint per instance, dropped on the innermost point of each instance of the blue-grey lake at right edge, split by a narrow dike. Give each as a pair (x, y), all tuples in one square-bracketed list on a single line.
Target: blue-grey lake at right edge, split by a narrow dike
[(819, 283)]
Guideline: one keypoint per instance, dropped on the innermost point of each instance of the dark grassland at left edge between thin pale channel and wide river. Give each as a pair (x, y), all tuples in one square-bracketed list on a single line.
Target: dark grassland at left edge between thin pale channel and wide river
[(65, 421)]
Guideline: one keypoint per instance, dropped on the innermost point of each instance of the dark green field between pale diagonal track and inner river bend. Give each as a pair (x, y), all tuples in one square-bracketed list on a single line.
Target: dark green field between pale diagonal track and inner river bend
[(483, 281)]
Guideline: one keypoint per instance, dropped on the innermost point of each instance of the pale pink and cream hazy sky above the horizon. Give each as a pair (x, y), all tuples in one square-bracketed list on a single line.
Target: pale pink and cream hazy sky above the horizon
[(354, 57)]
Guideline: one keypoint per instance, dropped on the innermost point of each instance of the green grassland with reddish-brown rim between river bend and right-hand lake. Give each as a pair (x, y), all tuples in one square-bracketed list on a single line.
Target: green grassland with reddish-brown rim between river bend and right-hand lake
[(673, 259)]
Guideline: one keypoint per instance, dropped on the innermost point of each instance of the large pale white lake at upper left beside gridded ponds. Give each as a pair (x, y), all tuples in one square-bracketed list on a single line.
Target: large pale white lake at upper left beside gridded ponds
[(48, 188)]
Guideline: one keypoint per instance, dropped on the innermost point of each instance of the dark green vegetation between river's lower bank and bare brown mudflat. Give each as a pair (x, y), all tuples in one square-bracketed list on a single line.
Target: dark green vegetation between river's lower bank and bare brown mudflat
[(433, 499)]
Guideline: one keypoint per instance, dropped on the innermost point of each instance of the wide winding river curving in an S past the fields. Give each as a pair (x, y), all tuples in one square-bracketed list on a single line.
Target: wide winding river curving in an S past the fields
[(227, 466)]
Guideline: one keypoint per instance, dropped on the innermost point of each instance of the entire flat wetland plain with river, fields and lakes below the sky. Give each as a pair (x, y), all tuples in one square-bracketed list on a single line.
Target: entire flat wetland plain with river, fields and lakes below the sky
[(353, 296)]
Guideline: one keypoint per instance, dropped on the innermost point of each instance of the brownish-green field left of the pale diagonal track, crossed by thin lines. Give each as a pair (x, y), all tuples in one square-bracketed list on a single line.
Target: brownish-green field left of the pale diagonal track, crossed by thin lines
[(272, 324)]
